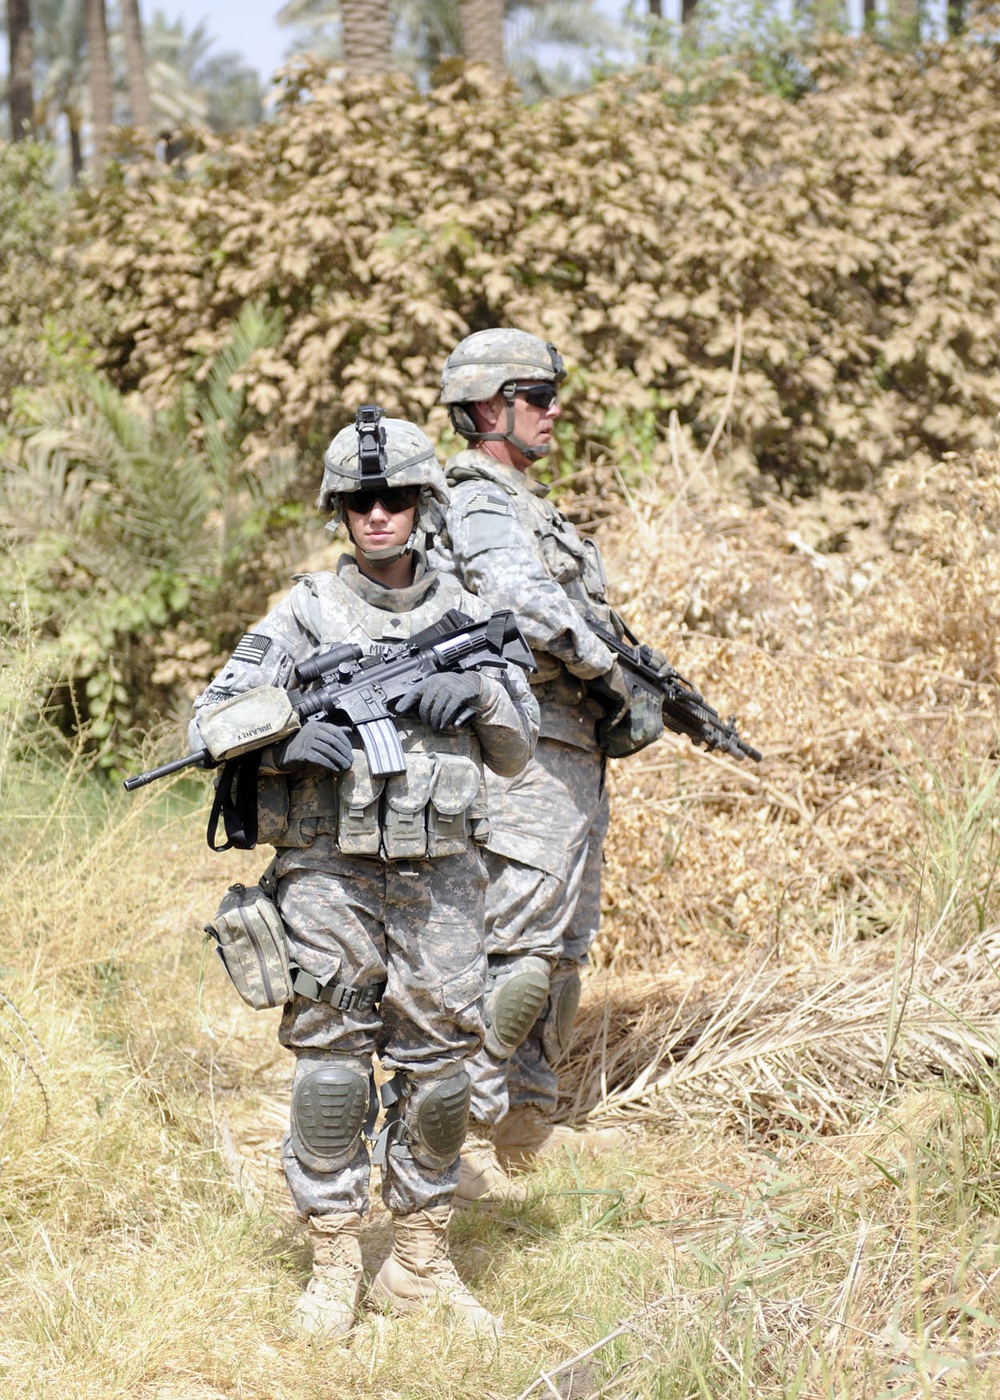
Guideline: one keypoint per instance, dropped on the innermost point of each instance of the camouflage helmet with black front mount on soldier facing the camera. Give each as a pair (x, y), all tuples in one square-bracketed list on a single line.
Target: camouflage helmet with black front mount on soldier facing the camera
[(377, 453)]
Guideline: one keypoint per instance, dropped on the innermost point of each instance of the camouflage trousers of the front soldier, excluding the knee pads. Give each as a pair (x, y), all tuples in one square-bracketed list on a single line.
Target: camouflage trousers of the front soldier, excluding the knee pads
[(417, 926)]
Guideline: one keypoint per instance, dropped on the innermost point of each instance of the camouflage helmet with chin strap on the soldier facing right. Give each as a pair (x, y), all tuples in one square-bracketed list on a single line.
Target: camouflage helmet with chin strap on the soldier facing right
[(495, 362)]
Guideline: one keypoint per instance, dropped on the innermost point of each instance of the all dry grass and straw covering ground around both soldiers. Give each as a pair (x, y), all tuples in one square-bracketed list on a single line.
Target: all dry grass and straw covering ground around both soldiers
[(796, 1010)]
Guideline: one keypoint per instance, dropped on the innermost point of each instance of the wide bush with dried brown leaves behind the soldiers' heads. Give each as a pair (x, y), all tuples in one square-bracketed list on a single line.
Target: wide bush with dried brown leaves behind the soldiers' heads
[(852, 234)]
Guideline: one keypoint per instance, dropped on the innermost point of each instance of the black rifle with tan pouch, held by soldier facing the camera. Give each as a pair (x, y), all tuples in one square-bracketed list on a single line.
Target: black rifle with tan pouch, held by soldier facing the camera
[(354, 689)]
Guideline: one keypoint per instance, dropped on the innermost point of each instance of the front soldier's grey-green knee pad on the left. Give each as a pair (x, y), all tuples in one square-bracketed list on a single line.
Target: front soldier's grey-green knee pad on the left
[(330, 1105)]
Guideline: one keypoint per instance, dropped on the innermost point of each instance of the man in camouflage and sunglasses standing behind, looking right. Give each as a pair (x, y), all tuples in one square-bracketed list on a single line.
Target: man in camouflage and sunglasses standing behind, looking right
[(508, 544)]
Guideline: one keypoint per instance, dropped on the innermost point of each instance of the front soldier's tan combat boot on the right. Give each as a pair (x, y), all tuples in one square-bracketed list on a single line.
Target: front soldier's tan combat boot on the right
[(419, 1272)]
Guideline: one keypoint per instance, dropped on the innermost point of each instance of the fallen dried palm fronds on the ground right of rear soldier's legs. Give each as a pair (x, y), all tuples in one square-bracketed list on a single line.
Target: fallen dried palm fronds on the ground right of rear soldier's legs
[(784, 1046)]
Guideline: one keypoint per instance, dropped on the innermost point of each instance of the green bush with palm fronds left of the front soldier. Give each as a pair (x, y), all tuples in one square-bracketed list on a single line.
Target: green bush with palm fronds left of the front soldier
[(137, 538)]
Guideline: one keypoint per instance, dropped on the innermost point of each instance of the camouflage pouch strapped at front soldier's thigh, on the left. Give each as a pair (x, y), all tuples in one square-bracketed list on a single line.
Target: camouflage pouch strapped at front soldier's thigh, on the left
[(250, 940)]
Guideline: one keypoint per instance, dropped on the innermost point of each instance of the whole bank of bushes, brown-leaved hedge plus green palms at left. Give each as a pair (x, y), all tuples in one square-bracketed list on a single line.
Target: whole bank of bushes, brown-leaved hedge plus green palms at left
[(845, 246)]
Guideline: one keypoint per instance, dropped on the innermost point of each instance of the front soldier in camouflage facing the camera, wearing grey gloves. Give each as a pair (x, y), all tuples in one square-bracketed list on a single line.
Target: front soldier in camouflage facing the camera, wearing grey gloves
[(380, 884)]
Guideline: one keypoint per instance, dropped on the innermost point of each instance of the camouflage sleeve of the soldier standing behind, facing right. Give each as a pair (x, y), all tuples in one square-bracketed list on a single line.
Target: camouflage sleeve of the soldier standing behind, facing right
[(501, 561)]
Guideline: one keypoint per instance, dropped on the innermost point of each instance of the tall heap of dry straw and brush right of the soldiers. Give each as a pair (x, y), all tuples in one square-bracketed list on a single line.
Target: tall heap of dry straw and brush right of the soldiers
[(786, 939)]
